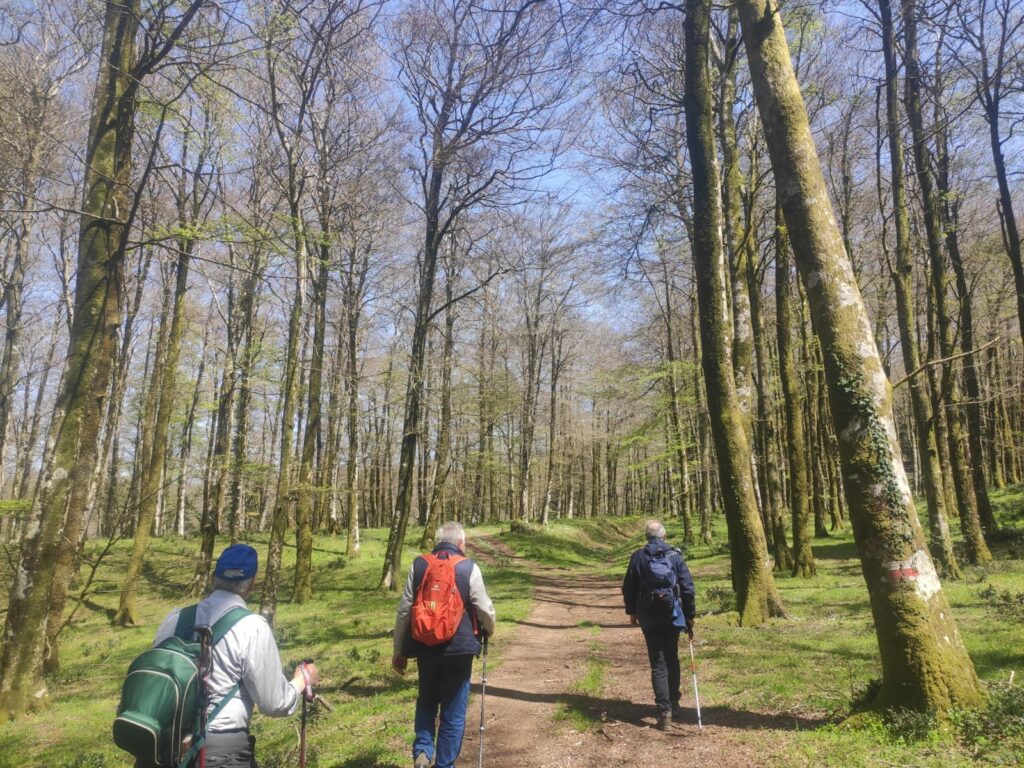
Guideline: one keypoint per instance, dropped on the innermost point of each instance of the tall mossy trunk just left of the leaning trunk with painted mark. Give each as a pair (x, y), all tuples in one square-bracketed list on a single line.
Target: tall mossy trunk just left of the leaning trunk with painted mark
[(757, 599)]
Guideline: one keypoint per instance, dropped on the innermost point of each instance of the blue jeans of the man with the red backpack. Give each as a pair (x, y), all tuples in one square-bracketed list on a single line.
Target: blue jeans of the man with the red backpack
[(444, 687)]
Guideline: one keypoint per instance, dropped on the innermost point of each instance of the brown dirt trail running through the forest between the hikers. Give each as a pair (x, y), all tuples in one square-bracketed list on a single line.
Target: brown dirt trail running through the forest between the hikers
[(577, 623)]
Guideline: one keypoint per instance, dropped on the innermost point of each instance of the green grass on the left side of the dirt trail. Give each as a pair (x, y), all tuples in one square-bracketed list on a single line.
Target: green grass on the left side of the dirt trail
[(347, 628)]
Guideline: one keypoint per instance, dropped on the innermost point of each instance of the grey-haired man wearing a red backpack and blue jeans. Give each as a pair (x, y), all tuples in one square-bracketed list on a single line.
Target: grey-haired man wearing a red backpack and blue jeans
[(443, 618)]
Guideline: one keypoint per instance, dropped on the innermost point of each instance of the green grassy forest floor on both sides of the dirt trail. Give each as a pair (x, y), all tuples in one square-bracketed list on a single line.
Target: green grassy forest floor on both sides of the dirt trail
[(785, 687)]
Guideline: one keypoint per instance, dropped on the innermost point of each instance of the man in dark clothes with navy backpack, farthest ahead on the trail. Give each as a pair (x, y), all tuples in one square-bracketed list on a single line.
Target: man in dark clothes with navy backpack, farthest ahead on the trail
[(660, 599)]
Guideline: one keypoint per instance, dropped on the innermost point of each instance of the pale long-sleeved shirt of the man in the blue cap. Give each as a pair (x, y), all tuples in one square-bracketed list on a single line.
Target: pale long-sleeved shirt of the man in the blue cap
[(248, 654)]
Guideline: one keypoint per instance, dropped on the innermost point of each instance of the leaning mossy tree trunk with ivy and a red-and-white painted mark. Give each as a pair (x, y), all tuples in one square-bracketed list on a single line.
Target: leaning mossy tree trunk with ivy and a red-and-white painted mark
[(924, 663)]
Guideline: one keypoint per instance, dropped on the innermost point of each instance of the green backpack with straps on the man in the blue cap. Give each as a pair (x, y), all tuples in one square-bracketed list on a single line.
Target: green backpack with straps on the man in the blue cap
[(161, 696)]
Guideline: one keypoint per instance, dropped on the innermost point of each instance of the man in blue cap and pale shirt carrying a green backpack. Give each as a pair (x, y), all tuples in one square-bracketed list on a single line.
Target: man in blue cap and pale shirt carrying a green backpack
[(211, 665)]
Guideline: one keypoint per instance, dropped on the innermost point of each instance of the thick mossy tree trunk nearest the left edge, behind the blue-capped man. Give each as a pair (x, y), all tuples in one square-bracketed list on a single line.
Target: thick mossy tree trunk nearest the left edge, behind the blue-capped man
[(74, 437)]
